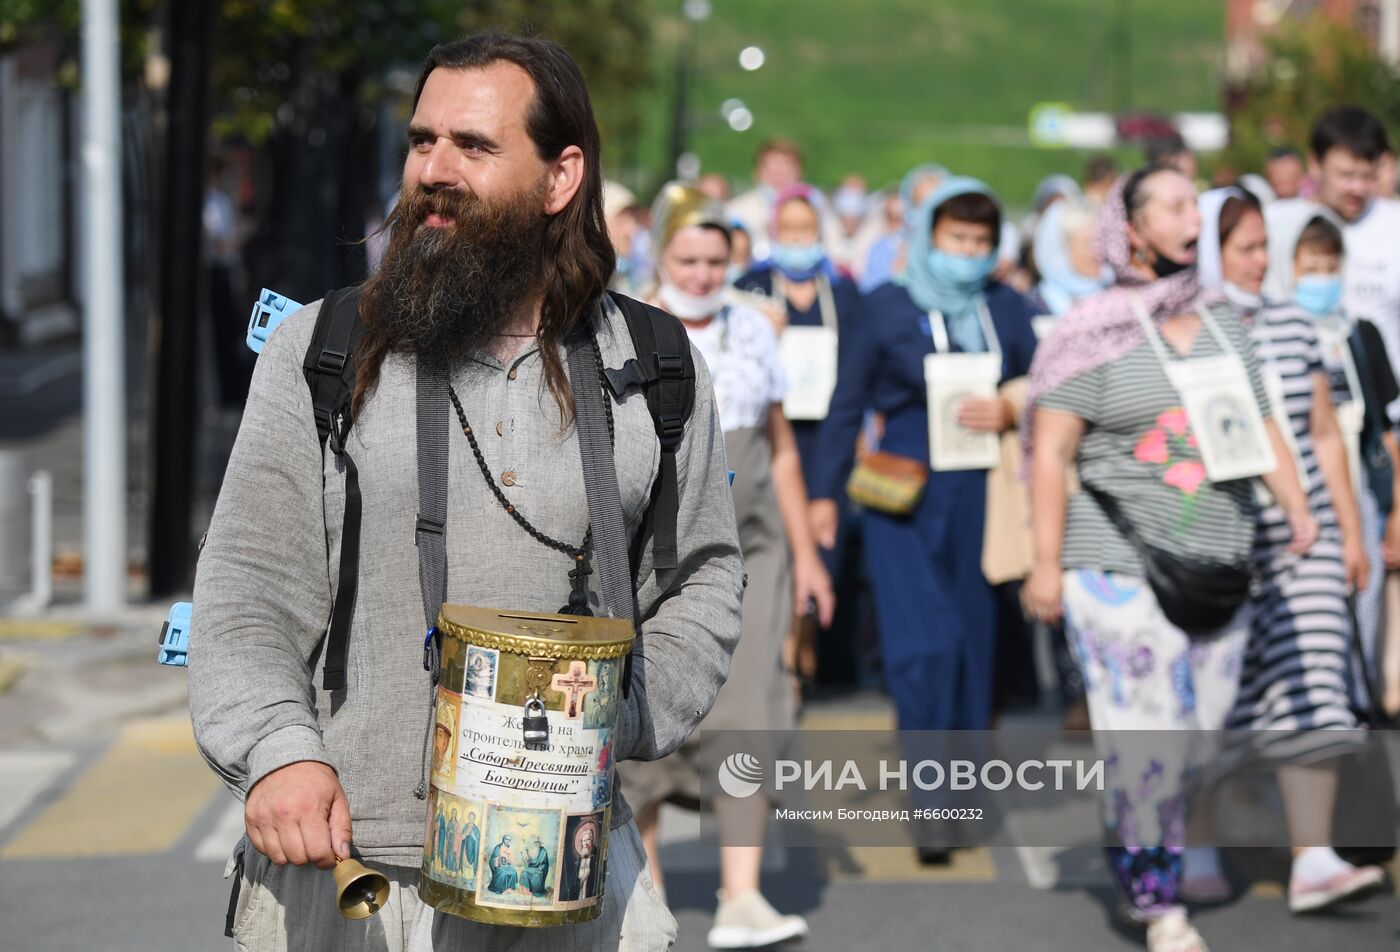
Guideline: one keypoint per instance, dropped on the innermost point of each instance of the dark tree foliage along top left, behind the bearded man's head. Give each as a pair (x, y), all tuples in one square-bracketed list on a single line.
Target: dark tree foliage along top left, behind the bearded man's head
[(278, 61)]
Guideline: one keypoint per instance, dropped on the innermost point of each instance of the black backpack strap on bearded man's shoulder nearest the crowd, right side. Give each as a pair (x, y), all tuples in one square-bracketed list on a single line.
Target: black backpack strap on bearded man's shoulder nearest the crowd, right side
[(667, 373)]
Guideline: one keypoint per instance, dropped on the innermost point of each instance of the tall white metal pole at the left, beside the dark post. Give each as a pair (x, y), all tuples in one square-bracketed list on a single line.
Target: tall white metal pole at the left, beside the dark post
[(104, 391)]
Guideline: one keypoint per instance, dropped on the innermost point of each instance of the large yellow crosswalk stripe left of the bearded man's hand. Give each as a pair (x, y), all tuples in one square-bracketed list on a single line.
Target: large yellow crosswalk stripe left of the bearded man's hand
[(139, 797)]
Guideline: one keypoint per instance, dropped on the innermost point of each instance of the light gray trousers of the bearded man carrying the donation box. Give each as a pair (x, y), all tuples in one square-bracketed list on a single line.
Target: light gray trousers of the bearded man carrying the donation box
[(293, 909)]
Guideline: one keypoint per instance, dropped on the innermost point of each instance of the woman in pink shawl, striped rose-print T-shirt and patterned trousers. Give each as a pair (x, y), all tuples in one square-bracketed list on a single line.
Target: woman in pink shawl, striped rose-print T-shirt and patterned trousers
[(1102, 398)]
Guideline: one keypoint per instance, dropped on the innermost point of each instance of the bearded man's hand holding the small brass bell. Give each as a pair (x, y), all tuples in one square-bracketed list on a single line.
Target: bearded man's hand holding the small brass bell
[(299, 814)]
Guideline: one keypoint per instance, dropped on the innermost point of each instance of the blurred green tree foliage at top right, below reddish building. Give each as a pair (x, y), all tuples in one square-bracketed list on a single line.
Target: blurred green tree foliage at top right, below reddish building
[(1312, 65)]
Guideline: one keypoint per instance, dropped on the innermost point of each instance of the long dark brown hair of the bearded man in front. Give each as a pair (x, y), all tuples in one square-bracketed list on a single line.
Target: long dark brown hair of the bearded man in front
[(577, 257)]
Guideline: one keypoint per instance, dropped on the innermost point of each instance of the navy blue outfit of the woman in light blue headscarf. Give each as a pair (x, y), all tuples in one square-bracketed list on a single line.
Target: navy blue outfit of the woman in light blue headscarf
[(936, 612)]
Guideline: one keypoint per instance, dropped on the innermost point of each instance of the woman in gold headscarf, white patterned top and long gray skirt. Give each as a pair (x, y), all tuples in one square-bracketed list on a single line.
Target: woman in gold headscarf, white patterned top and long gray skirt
[(785, 570)]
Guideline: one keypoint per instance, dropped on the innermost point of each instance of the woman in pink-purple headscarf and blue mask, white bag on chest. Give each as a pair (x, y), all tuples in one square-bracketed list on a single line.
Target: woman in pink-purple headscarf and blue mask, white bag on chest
[(817, 309)]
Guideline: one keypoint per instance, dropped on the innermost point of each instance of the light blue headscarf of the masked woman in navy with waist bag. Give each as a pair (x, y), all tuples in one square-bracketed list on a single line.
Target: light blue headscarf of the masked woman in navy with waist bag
[(958, 297)]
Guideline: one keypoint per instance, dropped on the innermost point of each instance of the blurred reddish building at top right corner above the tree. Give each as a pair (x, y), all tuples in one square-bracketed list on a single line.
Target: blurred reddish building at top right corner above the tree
[(1248, 22)]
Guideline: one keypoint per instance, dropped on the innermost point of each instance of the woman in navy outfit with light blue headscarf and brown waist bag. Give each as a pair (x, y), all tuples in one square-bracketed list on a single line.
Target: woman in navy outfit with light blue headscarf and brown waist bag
[(934, 608)]
